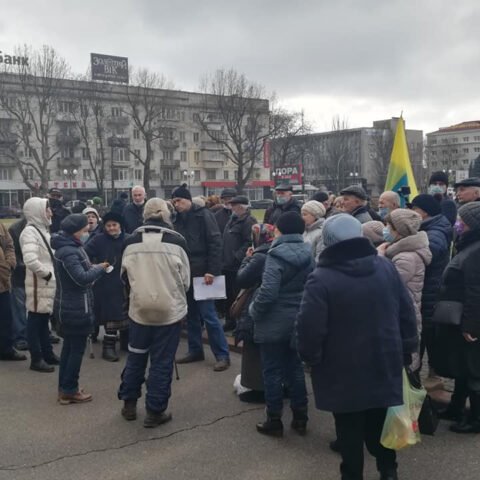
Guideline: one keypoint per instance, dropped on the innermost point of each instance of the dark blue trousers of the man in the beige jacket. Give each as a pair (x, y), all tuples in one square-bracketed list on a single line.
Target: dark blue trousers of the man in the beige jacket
[(160, 344)]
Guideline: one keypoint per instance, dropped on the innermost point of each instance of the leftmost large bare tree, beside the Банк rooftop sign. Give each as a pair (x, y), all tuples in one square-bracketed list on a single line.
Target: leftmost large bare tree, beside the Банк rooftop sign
[(30, 95)]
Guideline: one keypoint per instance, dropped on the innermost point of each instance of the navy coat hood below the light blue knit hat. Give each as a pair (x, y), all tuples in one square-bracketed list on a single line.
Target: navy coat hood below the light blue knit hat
[(355, 257)]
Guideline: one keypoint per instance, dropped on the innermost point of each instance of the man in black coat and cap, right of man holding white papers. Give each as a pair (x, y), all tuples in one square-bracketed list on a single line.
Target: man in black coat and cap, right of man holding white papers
[(236, 240)]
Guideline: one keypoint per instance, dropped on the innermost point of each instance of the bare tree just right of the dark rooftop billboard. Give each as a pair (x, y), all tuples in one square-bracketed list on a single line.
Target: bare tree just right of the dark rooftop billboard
[(148, 109)]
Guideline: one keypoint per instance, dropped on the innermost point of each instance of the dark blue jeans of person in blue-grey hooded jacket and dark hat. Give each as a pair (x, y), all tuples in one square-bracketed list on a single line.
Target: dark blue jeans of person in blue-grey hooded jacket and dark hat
[(282, 366)]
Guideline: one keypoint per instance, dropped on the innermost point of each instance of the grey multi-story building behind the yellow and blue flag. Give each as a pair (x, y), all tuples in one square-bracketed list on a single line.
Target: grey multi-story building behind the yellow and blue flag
[(348, 156)]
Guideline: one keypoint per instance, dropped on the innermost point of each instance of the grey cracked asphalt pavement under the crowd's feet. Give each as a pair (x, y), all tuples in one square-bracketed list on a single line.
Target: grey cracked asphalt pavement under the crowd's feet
[(212, 435)]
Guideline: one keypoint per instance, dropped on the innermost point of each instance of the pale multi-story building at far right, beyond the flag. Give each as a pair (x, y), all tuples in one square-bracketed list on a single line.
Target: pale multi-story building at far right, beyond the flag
[(453, 149)]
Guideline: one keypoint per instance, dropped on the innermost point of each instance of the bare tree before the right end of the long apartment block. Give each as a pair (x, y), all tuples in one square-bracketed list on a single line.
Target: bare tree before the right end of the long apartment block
[(239, 107)]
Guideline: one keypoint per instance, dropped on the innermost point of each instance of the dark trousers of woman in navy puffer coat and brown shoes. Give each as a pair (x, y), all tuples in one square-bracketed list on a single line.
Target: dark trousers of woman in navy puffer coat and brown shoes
[(73, 349)]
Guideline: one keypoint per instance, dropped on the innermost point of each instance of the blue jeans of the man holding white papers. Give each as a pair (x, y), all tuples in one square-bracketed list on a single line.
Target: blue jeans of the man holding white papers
[(205, 313)]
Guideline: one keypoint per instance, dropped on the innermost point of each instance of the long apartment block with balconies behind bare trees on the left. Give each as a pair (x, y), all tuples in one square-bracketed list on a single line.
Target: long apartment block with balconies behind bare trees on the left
[(95, 144)]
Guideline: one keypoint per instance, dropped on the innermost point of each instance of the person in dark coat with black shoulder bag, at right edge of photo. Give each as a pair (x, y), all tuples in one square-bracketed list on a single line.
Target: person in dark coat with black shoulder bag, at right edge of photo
[(456, 349)]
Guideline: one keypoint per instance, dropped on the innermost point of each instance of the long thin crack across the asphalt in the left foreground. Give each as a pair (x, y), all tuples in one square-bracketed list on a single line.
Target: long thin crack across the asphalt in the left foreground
[(12, 468)]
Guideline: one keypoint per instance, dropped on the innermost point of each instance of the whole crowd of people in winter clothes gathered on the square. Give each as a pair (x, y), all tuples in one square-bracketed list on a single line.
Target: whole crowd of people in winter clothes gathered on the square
[(332, 286)]
